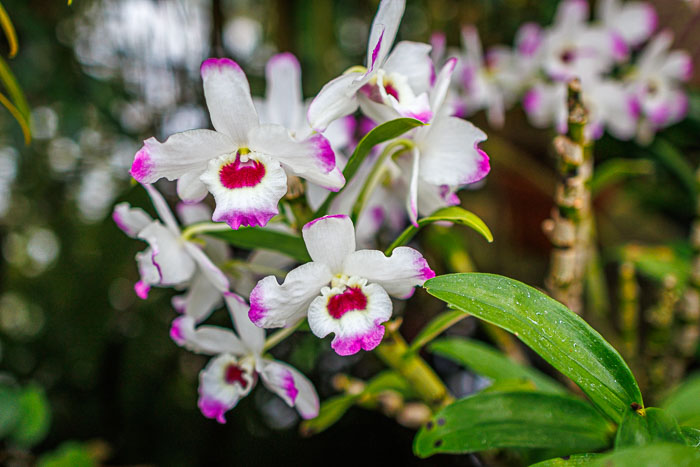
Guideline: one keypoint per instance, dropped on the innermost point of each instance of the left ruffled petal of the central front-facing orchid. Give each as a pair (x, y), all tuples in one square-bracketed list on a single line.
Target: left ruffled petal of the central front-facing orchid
[(273, 305)]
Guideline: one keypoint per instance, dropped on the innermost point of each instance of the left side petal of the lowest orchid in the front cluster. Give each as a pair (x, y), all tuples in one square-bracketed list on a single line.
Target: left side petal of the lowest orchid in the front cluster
[(208, 340)]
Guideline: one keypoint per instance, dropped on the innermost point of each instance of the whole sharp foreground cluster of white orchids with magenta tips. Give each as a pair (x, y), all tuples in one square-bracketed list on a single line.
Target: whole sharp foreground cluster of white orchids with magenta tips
[(253, 162)]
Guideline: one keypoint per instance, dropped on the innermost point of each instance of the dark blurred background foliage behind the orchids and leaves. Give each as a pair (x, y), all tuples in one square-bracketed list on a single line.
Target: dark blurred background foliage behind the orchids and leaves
[(101, 75)]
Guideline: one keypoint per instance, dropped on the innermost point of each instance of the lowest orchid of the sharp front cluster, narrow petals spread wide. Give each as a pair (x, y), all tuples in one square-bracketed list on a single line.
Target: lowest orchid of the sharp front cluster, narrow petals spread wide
[(238, 360)]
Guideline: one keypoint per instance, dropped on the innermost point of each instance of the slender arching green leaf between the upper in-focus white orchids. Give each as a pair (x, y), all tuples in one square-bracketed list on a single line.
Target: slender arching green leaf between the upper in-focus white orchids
[(377, 135)]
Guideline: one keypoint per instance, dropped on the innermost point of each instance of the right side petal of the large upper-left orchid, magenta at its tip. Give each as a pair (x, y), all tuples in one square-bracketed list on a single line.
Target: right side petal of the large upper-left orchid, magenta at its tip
[(312, 158)]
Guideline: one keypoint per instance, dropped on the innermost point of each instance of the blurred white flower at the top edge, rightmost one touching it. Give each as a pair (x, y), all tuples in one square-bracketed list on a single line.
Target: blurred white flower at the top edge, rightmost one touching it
[(633, 22)]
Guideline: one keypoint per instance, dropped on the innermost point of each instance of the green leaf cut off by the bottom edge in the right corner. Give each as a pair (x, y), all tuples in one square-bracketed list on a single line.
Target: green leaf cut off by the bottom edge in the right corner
[(652, 455)]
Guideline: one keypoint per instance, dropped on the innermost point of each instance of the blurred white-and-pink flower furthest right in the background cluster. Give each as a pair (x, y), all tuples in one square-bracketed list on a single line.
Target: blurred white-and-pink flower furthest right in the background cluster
[(656, 84)]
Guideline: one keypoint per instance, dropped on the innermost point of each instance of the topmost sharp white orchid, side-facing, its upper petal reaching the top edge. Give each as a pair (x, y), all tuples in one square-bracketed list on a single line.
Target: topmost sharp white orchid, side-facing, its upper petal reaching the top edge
[(398, 81)]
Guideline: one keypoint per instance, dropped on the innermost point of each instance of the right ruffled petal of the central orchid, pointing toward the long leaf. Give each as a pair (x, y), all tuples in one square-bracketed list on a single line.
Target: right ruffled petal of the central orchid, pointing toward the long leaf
[(398, 274)]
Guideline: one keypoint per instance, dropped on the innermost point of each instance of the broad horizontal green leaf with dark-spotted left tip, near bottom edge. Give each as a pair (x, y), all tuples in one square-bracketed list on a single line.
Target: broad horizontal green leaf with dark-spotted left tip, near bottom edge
[(514, 420)]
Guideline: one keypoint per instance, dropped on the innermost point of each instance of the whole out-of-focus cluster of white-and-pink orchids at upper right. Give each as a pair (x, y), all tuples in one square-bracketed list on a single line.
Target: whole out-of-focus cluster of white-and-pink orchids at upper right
[(631, 80)]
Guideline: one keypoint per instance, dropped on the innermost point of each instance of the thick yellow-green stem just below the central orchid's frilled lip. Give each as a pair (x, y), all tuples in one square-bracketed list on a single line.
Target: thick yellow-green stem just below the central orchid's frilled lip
[(395, 353)]
